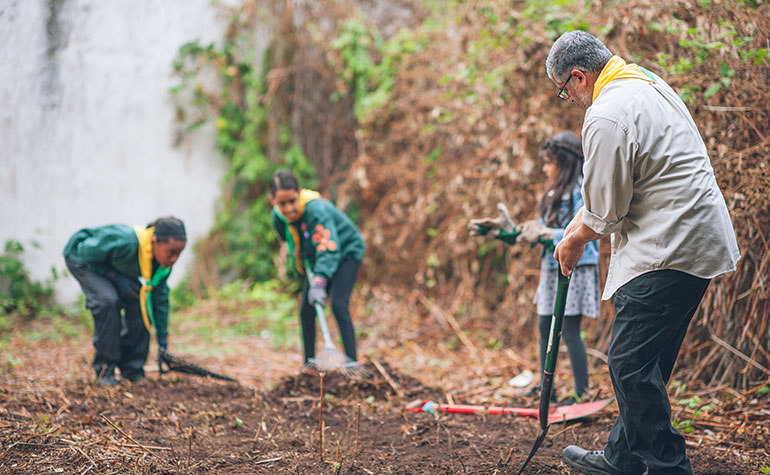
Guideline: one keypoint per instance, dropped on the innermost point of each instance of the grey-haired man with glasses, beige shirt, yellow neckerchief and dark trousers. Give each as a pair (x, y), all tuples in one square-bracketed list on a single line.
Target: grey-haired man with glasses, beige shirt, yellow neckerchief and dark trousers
[(649, 184)]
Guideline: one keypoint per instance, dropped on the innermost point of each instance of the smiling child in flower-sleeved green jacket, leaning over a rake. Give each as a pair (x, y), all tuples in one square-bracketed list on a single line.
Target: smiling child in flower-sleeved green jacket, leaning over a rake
[(316, 230)]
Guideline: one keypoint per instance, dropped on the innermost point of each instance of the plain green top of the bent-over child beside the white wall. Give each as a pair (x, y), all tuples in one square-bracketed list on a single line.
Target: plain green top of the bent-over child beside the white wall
[(115, 247)]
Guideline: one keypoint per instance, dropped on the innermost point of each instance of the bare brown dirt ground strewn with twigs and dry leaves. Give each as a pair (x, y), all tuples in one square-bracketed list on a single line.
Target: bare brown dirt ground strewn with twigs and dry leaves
[(53, 420)]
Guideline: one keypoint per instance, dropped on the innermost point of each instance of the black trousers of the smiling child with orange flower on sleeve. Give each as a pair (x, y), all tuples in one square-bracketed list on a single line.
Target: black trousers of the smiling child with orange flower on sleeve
[(340, 286)]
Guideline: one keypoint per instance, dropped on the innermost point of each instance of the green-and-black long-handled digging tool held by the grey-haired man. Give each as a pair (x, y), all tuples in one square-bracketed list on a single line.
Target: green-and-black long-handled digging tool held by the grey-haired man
[(550, 362)]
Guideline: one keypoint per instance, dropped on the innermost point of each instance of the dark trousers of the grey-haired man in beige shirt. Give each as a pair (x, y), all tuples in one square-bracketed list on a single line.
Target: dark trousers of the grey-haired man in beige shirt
[(653, 313)]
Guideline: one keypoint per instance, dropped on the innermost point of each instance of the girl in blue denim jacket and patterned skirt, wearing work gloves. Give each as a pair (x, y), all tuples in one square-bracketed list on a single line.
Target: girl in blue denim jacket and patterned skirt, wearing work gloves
[(562, 155)]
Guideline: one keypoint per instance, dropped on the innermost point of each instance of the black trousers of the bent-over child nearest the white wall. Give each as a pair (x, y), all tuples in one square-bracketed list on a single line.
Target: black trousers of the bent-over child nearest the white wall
[(120, 337)]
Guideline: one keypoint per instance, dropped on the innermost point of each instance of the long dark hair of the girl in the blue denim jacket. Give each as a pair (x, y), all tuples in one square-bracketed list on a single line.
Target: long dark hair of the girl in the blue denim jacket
[(566, 151)]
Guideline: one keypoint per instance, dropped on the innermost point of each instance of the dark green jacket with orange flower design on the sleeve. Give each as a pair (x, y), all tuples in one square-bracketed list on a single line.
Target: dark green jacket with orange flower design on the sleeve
[(327, 236)]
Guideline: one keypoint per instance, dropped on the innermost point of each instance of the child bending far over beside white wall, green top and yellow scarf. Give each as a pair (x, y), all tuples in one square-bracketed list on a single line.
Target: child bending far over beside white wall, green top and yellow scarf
[(108, 262)]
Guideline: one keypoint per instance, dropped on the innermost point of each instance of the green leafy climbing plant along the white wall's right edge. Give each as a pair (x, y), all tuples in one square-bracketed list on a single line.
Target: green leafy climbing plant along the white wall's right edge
[(238, 100)]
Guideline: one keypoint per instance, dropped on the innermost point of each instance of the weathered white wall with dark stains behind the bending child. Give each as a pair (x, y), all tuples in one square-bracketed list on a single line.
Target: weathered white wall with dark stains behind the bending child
[(86, 123)]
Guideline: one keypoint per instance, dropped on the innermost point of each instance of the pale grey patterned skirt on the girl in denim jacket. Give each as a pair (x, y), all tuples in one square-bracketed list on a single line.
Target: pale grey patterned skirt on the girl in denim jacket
[(583, 294)]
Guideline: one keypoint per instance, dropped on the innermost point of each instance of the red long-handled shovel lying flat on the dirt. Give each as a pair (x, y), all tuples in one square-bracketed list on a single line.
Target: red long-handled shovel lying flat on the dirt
[(558, 415)]
